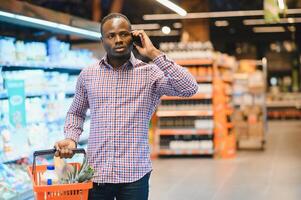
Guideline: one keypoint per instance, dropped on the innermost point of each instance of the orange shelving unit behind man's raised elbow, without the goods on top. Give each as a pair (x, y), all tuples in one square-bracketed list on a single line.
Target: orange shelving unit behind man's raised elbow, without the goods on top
[(214, 74)]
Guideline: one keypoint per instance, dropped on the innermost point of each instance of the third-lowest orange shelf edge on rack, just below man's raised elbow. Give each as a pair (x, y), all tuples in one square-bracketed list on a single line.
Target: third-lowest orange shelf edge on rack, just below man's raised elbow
[(184, 113)]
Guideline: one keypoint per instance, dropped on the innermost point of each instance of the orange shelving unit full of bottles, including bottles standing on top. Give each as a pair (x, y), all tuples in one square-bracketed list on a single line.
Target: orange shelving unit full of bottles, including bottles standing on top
[(190, 126)]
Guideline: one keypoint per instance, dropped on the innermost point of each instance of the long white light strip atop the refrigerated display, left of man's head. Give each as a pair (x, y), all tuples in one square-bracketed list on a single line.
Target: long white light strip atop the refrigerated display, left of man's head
[(52, 26)]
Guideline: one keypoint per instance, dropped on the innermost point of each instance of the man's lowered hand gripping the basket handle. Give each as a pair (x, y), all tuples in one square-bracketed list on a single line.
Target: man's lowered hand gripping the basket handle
[(64, 148)]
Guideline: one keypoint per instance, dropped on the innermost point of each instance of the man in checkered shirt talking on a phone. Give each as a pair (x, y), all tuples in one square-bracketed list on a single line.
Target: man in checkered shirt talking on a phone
[(122, 93)]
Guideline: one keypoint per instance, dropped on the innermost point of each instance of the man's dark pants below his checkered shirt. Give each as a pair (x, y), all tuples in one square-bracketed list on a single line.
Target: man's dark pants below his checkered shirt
[(137, 190)]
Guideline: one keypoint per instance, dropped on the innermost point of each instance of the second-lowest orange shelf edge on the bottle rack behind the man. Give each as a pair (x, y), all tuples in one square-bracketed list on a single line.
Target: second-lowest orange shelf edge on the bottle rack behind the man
[(185, 132)]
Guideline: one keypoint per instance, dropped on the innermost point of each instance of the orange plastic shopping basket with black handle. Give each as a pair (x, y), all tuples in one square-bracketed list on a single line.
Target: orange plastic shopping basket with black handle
[(75, 191)]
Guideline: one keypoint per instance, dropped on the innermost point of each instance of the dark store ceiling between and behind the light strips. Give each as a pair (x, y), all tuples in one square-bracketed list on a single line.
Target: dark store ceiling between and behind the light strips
[(236, 31)]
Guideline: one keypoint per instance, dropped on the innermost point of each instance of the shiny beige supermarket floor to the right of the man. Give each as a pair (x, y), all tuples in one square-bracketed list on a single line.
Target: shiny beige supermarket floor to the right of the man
[(272, 174)]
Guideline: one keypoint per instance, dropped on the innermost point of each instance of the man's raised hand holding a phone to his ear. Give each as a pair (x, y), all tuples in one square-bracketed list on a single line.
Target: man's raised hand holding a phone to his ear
[(147, 50)]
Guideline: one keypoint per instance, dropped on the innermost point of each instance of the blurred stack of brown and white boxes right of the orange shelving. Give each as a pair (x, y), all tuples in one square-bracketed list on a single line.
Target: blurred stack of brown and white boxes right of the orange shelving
[(248, 93)]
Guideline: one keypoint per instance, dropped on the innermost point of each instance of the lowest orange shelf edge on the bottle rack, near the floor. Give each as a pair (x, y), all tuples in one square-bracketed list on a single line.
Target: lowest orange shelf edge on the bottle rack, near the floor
[(186, 152)]
